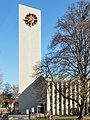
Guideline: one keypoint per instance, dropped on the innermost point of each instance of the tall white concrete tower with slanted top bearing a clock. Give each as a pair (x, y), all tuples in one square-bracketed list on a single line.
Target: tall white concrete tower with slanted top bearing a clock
[(29, 44)]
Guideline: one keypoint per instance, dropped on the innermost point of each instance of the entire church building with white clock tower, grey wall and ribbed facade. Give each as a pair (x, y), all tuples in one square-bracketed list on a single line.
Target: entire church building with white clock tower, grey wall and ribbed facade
[(38, 92)]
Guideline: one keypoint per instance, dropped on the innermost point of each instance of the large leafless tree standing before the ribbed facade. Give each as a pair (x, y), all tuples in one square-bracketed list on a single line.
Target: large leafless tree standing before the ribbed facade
[(70, 52)]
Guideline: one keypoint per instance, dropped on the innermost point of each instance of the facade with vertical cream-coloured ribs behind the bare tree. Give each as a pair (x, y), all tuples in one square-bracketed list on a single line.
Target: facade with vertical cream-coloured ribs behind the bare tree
[(58, 105)]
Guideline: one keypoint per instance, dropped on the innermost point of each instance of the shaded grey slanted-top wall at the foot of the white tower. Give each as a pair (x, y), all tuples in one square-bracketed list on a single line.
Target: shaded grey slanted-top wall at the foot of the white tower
[(32, 96)]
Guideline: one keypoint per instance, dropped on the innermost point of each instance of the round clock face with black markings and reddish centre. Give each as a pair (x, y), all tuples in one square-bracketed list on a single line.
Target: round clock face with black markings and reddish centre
[(30, 19)]
